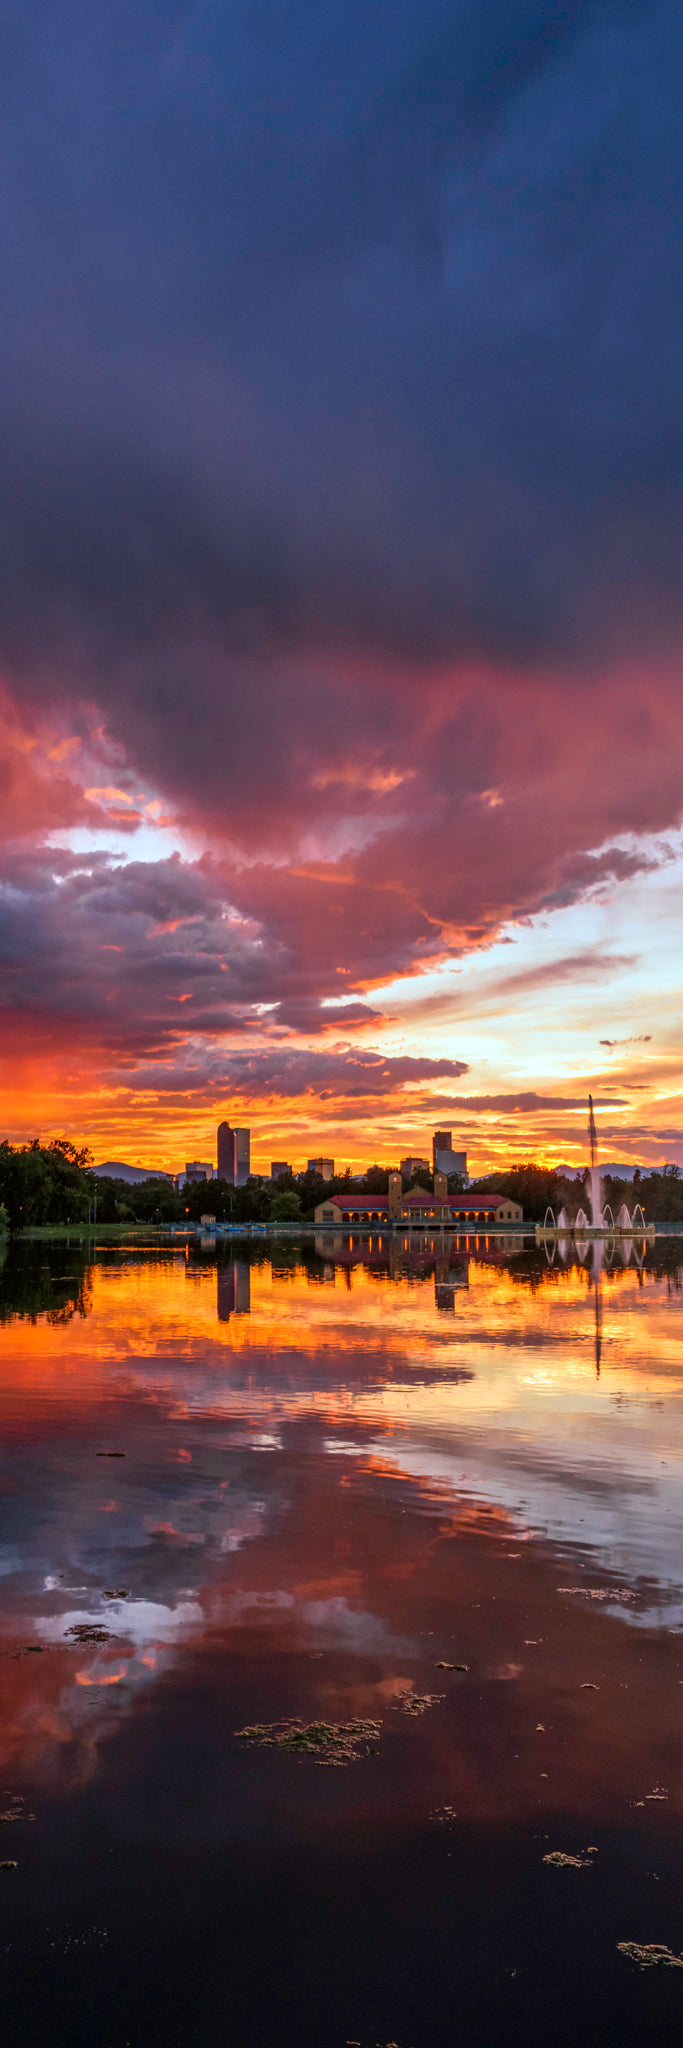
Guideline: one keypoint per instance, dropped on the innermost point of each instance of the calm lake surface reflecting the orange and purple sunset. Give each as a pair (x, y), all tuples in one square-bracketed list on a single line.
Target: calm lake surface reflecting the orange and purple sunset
[(344, 1471)]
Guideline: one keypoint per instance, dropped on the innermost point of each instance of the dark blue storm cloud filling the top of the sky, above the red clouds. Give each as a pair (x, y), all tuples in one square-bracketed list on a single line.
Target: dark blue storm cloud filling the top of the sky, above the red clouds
[(348, 323)]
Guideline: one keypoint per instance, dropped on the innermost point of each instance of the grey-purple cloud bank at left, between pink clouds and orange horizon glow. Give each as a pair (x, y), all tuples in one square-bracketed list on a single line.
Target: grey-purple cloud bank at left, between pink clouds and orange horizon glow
[(153, 951)]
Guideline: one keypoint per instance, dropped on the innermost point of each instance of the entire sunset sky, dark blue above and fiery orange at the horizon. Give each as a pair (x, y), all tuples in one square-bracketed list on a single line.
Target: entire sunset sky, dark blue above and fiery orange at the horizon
[(341, 718)]
